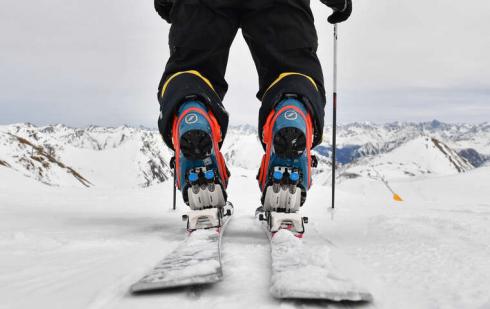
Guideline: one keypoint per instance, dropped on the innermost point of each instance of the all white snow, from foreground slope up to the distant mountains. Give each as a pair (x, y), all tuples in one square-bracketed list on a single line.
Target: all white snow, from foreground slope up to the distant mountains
[(69, 246)]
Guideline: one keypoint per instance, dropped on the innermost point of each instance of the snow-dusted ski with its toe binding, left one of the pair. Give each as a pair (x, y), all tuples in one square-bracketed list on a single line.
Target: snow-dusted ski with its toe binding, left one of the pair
[(197, 260)]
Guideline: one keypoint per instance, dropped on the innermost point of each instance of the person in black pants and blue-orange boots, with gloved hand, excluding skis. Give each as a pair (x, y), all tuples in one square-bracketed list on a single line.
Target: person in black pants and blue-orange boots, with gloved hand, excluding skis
[(193, 121)]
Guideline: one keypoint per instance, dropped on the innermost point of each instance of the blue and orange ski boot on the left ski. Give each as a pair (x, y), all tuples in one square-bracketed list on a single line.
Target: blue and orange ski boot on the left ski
[(200, 170)]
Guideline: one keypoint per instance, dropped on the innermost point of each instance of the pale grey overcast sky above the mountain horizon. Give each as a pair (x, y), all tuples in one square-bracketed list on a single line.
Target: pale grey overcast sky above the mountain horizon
[(100, 61)]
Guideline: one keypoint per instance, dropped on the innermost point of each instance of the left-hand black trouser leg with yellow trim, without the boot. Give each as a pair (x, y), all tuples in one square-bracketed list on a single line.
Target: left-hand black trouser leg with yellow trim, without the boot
[(199, 40)]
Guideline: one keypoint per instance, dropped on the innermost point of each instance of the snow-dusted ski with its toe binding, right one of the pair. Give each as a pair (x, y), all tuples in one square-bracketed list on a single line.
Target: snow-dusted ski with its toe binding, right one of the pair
[(299, 272)]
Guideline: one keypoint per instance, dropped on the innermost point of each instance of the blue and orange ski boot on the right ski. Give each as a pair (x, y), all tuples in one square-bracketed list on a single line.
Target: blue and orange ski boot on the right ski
[(285, 173)]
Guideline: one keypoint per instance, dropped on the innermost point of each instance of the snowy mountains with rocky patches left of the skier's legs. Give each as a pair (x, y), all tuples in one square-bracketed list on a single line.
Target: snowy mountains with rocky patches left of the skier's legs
[(102, 156)]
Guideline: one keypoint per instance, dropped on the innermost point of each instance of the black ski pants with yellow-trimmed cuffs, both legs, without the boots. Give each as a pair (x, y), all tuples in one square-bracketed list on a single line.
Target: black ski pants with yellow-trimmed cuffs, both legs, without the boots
[(282, 39)]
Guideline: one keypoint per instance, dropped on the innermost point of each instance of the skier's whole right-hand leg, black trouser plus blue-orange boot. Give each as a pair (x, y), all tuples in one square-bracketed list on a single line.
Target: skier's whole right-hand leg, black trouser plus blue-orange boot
[(283, 42)]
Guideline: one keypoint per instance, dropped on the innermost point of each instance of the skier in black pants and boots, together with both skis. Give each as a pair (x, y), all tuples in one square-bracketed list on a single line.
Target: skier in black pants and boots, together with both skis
[(193, 122)]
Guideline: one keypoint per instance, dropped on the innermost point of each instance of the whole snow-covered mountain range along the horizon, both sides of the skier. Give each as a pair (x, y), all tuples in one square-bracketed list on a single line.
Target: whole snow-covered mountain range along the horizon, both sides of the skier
[(128, 157)]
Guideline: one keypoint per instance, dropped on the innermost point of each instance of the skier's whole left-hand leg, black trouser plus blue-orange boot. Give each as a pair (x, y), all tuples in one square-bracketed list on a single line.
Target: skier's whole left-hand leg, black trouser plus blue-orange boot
[(193, 121)]
